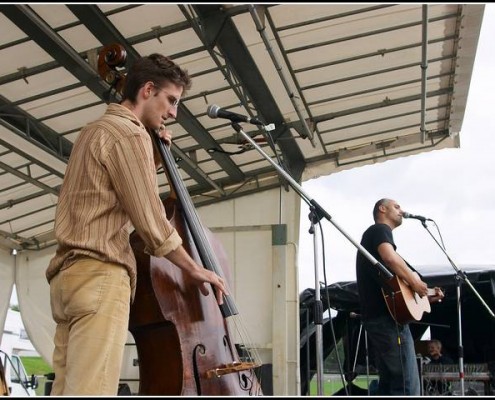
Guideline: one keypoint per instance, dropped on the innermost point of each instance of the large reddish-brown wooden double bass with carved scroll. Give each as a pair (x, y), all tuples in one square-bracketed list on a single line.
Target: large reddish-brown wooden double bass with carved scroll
[(183, 338)]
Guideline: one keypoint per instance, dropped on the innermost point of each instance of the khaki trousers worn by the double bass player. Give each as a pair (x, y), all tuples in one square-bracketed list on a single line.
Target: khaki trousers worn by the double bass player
[(90, 303)]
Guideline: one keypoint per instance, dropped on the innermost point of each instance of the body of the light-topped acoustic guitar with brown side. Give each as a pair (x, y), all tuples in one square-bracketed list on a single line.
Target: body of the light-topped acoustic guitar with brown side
[(405, 305)]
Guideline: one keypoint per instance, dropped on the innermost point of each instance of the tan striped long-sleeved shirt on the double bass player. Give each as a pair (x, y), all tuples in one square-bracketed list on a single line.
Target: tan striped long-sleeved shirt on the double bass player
[(110, 186)]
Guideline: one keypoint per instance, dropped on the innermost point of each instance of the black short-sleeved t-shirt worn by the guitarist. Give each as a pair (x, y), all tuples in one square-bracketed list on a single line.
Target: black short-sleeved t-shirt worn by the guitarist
[(369, 281)]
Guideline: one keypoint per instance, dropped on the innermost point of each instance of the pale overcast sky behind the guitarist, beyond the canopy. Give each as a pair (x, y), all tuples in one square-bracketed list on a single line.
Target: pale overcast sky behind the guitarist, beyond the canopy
[(454, 187)]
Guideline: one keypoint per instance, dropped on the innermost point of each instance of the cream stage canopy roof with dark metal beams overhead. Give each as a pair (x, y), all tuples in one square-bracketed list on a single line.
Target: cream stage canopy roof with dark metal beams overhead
[(344, 85)]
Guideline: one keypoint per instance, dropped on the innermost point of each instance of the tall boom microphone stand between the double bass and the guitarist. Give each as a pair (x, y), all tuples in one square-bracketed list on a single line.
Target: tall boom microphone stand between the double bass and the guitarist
[(317, 212)]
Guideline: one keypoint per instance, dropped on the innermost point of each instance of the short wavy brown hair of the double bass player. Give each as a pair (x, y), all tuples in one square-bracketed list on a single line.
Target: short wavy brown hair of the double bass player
[(156, 68)]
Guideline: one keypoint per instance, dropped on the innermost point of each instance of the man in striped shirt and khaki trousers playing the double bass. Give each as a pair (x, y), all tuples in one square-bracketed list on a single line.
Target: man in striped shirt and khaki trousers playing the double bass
[(111, 183)]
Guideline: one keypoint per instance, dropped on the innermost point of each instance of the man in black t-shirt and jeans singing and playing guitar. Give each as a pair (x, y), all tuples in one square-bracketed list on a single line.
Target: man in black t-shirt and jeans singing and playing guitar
[(391, 341)]
